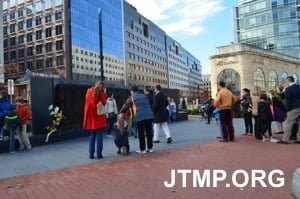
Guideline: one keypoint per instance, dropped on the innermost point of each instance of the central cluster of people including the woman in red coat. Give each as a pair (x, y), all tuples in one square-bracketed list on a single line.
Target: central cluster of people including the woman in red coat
[(145, 111)]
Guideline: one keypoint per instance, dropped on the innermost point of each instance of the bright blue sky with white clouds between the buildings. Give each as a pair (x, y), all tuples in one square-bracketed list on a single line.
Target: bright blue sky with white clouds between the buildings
[(199, 25)]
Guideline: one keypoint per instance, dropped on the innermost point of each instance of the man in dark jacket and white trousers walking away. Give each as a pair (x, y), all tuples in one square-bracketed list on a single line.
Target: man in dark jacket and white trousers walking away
[(161, 115)]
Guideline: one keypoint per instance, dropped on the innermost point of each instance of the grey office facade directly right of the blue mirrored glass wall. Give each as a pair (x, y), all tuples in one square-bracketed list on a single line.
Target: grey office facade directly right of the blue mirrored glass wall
[(145, 58)]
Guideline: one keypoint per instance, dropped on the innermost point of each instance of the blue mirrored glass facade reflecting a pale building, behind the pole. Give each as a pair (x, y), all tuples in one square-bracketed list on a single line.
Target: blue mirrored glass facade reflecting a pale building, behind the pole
[(93, 22)]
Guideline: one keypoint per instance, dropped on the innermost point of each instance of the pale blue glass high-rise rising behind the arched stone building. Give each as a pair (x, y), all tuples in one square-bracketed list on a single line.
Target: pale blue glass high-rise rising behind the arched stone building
[(269, 24)]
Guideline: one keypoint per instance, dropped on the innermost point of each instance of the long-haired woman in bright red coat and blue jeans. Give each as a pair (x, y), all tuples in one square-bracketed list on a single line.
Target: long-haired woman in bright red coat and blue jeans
[(92, 121)]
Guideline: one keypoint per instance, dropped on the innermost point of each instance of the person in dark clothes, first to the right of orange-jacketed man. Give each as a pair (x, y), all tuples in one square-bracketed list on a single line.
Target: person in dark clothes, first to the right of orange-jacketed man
[(246, 104)]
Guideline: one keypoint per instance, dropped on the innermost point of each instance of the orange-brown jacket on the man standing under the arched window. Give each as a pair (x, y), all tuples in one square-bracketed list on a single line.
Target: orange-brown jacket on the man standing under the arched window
[(225, 99)]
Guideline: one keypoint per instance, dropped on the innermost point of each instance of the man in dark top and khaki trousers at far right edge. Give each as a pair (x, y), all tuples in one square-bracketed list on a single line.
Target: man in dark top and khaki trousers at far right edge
[(292, 102)]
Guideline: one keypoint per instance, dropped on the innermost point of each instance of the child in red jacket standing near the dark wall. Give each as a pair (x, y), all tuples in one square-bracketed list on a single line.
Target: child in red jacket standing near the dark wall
[(25, 113)]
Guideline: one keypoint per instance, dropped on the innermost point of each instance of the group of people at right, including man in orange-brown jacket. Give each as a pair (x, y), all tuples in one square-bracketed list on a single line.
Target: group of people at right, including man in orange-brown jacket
[(281, 106)]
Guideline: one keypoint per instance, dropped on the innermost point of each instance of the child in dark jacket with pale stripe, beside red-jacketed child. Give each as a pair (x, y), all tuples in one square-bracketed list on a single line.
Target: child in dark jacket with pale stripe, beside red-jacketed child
[(12, 122)]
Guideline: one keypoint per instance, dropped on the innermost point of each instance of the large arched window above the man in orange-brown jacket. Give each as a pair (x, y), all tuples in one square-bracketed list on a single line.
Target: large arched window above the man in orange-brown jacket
[(231, 78)]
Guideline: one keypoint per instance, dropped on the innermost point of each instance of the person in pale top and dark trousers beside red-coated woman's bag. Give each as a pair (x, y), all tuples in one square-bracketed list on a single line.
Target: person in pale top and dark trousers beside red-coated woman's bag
[(112, 112)]
